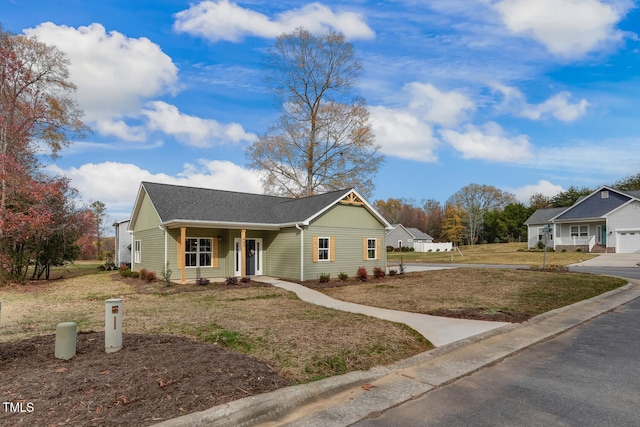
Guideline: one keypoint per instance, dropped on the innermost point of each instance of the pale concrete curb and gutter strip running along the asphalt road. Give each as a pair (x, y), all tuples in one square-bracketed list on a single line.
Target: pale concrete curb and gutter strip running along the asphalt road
[(346, 399)]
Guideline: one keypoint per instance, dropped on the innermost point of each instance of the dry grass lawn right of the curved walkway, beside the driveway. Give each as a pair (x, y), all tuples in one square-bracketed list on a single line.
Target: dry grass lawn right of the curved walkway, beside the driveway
[(531, 292)]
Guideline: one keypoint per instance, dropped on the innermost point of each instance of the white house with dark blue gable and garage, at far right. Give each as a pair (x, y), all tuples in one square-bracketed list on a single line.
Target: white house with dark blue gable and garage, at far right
[(607, 220)]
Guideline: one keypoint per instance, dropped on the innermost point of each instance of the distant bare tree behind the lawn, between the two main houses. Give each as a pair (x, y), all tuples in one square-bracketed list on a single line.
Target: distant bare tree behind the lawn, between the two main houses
[(475, 201)]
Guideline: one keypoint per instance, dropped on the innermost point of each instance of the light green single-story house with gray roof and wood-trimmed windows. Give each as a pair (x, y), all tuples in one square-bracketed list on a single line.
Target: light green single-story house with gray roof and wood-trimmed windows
[(205, 233)]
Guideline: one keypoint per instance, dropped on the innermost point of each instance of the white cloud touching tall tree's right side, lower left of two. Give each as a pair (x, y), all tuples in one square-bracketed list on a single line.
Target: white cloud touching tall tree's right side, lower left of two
[(402, 134)]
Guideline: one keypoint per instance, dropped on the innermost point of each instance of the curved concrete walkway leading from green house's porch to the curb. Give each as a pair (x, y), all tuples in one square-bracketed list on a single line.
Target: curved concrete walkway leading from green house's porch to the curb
[(439, 330)]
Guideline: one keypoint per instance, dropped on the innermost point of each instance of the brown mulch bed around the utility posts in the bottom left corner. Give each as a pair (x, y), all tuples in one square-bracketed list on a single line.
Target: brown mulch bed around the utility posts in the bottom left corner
[(151, 379)]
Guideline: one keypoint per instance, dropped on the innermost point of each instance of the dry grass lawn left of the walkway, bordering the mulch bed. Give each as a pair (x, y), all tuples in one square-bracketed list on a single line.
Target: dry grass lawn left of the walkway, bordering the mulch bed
[(302, 341)]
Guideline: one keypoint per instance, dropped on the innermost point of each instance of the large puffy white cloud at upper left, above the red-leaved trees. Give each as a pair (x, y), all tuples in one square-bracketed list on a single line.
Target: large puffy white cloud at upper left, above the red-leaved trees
[(113, 73)]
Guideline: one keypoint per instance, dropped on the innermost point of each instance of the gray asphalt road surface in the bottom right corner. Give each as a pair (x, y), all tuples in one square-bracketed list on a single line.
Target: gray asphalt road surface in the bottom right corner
[(587, 376)]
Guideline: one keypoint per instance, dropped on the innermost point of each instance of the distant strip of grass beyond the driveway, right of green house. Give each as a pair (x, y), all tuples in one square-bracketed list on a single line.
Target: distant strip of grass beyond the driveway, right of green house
[(500, 253)]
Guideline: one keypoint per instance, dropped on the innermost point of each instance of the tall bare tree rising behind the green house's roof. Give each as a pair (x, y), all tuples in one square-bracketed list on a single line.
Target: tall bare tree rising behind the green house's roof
[(322, 140)]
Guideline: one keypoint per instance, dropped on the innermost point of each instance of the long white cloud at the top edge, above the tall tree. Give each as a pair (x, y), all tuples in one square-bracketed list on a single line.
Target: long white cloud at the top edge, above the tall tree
[(224, 20)]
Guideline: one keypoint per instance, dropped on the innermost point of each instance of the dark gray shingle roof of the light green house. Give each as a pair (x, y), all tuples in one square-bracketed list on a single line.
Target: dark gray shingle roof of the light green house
[(174, 202)]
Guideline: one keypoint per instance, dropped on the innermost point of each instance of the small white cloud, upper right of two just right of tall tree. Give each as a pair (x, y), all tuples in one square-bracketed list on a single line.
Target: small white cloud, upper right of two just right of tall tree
[(443, 108)]
